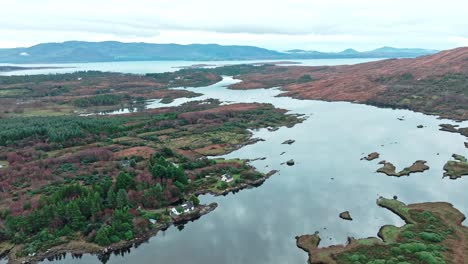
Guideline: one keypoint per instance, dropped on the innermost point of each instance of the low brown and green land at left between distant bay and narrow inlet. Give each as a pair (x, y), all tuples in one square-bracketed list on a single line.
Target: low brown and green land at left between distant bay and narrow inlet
[(91, 91)]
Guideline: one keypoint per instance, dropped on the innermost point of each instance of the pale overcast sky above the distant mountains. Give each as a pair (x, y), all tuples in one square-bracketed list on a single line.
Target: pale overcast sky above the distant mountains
[(325, 25)]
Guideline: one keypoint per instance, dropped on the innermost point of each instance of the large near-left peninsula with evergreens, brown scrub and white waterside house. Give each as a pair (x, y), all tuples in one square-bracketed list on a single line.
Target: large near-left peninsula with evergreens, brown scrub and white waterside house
[(99, 180)]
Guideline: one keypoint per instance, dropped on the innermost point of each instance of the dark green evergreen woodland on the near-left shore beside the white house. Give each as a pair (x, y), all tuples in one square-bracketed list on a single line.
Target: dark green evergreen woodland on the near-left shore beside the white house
[(102, 211)]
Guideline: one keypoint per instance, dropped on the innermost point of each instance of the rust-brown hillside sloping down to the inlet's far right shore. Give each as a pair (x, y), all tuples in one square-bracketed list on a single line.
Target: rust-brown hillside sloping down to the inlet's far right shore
[(434, 84)]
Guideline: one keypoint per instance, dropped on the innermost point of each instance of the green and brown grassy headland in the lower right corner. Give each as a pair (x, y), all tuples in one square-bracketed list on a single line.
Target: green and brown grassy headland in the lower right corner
[(433, 233)]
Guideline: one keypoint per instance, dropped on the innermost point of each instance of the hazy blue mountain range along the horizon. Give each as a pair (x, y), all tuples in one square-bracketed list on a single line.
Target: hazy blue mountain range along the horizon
[(80, 51)]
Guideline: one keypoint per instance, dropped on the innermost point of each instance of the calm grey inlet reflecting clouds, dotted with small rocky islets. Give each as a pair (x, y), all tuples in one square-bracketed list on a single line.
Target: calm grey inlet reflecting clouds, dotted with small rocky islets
[(258, 225)]
